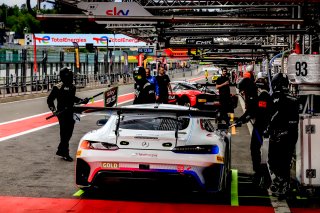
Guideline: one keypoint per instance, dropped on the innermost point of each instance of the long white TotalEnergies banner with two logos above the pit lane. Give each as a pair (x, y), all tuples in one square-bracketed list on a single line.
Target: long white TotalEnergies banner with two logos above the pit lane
[(98, 40)]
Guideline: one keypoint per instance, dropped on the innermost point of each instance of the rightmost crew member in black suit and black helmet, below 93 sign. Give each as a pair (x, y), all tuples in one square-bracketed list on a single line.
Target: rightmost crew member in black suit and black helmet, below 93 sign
[(283, 132)]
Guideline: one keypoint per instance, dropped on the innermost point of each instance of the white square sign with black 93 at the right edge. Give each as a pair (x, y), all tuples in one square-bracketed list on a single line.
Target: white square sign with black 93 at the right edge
[(304, 68)]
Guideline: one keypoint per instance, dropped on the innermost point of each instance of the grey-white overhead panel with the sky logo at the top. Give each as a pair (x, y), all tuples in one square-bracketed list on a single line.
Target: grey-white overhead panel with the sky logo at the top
[(113, 8)]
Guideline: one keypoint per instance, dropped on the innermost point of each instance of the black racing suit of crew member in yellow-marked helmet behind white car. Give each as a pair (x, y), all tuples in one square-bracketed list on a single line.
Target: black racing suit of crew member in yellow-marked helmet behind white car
[(144, 93)]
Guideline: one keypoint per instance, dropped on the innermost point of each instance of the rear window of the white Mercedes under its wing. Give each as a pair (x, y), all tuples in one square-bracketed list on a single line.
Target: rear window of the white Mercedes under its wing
[(154, 123)]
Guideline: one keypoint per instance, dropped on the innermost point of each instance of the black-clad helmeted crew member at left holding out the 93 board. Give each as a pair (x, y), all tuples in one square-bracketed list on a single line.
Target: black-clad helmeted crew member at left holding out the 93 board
[(65, 94)]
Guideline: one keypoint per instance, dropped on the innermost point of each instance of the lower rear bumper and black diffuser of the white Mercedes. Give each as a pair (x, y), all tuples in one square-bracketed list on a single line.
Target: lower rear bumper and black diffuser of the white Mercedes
[(169, 176)]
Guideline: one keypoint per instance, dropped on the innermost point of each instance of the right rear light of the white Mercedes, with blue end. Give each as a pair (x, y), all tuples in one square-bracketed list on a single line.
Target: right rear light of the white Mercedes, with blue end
[(197, 149)]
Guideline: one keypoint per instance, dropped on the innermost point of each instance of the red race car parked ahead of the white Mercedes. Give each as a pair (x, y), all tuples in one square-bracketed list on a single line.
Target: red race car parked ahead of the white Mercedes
[(196, 95)]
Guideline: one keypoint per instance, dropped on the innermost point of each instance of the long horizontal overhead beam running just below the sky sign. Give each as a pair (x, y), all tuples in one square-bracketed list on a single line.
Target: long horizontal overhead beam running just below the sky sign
[(172, 19)]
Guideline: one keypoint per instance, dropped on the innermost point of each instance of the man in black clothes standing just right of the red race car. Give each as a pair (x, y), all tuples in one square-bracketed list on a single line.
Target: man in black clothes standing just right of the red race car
[(222, 84)]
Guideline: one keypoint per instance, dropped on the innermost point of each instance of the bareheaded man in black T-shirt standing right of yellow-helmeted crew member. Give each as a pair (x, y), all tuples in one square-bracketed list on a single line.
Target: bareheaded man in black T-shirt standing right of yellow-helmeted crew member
[(164, 86)]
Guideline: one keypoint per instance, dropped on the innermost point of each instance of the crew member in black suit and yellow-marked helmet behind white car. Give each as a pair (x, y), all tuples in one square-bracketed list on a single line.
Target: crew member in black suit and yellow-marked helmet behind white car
[(144, 90)]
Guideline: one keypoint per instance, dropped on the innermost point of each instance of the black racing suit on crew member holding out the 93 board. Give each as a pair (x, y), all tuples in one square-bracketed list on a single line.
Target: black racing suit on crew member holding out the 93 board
[(65, 95)]
